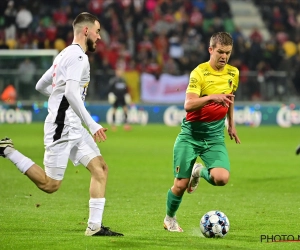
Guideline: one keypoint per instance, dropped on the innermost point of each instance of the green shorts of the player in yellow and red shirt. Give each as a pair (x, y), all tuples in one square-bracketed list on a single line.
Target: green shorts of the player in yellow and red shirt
[(212, 152)]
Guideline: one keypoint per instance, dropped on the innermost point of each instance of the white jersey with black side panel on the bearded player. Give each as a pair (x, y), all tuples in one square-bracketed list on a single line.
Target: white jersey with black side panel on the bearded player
[(70, 64)]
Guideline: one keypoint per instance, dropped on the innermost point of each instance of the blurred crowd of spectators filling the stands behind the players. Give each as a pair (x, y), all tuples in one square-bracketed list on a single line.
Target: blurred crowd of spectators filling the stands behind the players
[(158, 36)]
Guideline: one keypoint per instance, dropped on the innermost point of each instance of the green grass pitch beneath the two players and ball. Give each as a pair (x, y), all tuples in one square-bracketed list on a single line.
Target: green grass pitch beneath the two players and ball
[(261, 198)]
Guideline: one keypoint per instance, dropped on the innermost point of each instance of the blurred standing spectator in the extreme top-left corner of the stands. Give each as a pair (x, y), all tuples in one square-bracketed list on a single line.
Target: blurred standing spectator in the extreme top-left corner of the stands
[(10, 21)]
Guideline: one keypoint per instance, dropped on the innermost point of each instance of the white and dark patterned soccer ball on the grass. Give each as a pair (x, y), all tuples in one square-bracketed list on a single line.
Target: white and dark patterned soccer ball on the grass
[(214, 224)]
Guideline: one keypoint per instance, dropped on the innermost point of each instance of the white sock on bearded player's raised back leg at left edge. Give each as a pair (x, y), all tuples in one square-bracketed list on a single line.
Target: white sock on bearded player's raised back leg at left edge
[(22, 162)]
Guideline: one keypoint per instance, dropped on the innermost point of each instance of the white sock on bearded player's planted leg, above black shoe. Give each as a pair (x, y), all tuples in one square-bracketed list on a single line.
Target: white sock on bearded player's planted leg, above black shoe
[(96, 206)]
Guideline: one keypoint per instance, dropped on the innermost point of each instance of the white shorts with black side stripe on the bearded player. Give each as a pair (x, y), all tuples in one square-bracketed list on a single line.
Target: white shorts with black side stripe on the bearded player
[(62, 143)]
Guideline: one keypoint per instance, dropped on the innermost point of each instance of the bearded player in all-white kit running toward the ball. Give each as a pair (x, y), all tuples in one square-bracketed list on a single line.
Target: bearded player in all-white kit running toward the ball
[(66, 84)]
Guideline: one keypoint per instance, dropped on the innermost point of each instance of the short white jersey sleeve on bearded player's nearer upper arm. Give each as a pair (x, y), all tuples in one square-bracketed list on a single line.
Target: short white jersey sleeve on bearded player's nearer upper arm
[(75, 65)]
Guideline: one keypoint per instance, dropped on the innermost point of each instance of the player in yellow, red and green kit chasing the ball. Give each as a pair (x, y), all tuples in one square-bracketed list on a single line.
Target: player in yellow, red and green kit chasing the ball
[(209, 100)]
